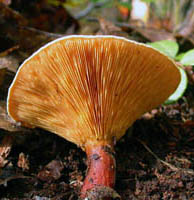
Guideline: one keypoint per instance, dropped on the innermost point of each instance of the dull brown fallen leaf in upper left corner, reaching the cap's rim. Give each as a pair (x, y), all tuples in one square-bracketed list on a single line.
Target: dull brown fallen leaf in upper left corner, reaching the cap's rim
[(17, 30)]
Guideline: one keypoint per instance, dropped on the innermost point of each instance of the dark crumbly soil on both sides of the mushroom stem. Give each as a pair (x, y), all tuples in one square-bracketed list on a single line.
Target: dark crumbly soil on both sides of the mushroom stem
[(155, 160)]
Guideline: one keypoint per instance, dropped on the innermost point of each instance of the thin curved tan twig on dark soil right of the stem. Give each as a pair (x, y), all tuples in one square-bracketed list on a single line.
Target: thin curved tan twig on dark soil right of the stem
[(172, 167)]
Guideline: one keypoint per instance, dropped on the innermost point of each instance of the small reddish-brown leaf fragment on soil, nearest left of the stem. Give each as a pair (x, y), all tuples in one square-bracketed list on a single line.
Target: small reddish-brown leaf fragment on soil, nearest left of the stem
[(51, 171)]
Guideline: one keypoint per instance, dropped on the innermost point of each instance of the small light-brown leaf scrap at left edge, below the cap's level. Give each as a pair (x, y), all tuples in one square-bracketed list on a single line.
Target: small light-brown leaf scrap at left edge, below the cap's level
[(5, 148)]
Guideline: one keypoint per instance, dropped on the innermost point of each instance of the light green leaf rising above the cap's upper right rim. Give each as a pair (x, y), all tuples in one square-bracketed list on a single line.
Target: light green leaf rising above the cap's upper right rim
[(168, 47)]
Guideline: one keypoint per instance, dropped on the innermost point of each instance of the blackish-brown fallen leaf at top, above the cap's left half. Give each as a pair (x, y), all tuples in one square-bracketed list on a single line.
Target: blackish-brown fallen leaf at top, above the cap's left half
[(46, 16)]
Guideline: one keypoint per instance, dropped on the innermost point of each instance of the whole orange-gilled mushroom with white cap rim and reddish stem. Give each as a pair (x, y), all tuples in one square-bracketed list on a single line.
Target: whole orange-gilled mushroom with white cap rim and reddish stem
[(89, 90)]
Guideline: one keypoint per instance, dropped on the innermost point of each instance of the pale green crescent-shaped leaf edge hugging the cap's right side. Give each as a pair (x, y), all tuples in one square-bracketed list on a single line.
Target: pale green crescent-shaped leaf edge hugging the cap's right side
[(181, 88)]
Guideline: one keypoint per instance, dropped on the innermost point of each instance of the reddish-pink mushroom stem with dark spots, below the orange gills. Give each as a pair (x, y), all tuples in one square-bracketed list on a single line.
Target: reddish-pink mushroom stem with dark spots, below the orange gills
[(101, 168)]
